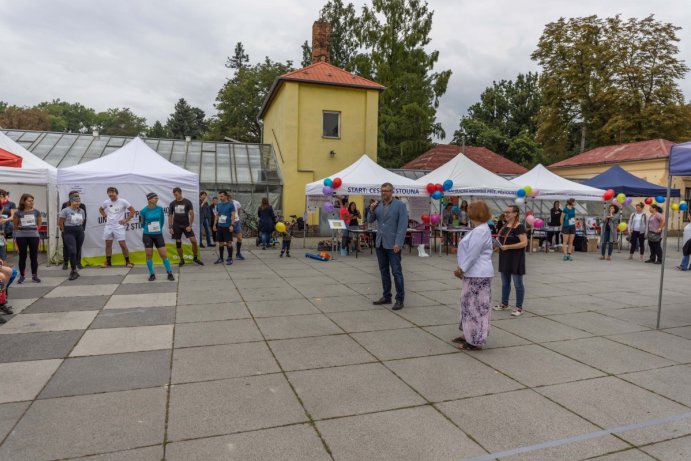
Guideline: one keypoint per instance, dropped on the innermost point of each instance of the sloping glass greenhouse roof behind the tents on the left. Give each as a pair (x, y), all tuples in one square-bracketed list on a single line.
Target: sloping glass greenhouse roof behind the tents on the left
[(221, 164)]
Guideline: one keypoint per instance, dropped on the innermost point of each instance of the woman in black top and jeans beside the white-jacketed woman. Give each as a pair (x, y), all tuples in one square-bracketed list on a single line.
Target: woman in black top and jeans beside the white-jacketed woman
[(513, 240)]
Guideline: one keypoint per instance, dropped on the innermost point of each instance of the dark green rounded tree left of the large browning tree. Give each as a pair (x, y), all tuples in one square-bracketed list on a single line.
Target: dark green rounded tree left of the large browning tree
[(504, 119)]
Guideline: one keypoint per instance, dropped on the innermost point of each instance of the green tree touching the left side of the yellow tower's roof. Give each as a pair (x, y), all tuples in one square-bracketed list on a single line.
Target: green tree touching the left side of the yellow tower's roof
[(240, 99)]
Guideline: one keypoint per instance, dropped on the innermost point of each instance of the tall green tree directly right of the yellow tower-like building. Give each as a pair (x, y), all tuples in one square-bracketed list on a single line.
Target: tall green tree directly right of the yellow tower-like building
[(395, 35)]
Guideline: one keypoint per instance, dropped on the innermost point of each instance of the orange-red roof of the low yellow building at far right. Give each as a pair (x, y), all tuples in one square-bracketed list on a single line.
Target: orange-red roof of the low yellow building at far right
[(643, 150)]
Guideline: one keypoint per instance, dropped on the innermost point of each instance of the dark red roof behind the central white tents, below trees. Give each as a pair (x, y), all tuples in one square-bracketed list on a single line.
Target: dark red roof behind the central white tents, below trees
[(442, 153)]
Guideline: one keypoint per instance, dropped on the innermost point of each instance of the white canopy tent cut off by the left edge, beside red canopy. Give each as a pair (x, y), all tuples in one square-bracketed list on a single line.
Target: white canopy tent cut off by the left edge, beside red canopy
[(37, 178)]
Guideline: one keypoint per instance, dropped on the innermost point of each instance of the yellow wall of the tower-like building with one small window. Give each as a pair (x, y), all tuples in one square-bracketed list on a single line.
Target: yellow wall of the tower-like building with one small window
[(293, 124)]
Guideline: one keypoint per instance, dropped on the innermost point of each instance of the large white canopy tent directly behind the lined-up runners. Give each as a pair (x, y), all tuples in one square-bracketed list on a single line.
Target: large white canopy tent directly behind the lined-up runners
[(135, 170)]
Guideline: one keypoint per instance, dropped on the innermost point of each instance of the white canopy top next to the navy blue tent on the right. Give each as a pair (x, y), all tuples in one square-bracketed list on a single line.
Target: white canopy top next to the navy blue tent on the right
[(554, 187)]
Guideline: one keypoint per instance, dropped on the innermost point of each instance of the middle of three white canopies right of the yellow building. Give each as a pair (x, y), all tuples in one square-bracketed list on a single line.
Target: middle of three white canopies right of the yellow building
[(469, 178)]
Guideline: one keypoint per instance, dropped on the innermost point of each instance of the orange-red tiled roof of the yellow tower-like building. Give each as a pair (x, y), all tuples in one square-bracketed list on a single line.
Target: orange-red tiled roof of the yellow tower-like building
[(320, 73)]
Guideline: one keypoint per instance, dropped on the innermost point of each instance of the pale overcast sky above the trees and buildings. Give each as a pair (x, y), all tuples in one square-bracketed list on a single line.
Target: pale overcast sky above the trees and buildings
[(145, 55)]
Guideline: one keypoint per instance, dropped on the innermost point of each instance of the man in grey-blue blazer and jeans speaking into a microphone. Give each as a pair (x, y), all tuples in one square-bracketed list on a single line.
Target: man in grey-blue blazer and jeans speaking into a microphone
[(392, 216)]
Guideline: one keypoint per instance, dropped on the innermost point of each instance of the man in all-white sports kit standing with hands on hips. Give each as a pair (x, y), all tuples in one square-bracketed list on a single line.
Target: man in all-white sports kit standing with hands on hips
[(117, 212)]
